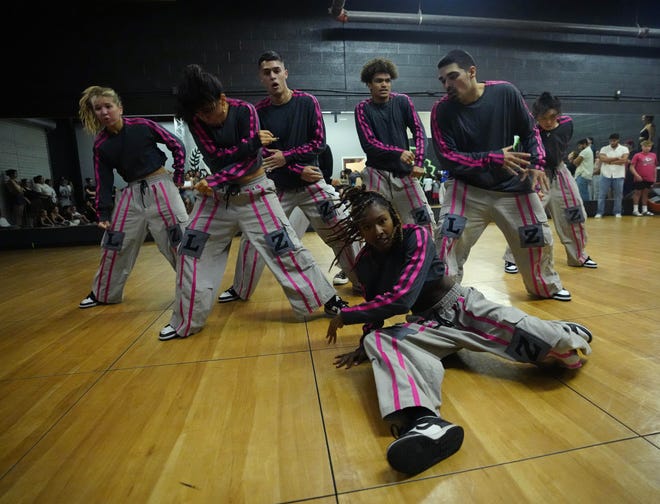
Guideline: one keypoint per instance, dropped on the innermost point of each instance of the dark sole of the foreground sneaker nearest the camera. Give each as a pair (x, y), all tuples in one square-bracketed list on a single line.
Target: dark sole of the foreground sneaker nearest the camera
[(415, 454)]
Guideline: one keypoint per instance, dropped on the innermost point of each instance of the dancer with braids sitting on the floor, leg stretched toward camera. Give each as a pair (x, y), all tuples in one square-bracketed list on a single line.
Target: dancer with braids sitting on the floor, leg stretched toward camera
[(401, 272)]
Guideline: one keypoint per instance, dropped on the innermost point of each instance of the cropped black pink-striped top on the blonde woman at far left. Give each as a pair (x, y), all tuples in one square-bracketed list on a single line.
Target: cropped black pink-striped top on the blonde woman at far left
[(134, 154)]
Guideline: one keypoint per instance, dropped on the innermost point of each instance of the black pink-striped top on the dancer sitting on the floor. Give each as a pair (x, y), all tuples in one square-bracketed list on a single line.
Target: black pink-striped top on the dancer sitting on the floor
[(404, 279)]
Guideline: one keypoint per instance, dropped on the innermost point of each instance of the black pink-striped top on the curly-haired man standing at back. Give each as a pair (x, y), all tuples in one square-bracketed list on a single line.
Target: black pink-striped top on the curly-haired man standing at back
[(383, 132)]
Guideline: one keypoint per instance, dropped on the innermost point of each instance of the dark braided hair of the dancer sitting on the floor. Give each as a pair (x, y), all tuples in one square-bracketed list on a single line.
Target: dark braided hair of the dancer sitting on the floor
[(357, 200)]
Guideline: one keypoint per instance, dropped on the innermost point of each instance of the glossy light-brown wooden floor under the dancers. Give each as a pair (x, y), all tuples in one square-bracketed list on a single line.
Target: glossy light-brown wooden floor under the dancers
[(94, 409)]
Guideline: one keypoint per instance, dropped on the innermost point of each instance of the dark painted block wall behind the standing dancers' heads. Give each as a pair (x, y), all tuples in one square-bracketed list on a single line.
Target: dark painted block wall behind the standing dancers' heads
[(139, 48)]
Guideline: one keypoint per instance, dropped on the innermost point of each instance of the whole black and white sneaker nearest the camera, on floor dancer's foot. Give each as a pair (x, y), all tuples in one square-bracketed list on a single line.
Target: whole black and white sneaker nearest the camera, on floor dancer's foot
[(430, 440)]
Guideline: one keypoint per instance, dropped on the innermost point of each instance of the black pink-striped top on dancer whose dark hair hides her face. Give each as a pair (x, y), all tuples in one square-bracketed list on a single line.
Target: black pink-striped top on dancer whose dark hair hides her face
[(233, 149)]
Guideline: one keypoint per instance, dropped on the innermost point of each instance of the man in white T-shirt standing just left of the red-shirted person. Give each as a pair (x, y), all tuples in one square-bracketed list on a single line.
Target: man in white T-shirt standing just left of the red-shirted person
[(613, 159)]
